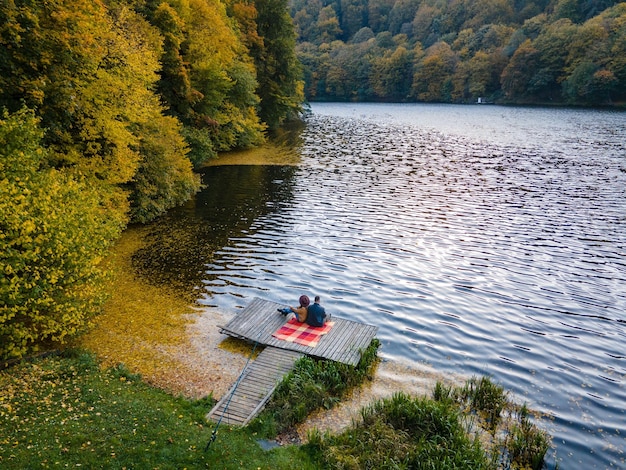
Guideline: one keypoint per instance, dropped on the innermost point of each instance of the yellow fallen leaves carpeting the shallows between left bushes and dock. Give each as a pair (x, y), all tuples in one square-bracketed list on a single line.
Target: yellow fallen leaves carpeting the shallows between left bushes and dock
[(143, 325)]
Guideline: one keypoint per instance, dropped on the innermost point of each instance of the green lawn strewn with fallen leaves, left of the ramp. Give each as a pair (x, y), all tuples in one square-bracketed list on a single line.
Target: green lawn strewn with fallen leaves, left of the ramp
[(65, 411)]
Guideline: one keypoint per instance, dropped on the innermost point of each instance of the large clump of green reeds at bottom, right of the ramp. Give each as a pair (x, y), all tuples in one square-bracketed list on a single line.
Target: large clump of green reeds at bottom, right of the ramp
[(472, 426)]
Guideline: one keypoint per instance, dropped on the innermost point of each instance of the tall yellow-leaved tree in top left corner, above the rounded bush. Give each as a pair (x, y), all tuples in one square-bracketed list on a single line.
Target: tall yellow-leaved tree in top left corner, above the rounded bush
[(66, 60)]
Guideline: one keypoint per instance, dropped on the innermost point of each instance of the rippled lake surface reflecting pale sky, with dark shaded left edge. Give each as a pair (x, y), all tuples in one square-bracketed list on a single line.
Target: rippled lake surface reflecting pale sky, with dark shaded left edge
[(480, 239)]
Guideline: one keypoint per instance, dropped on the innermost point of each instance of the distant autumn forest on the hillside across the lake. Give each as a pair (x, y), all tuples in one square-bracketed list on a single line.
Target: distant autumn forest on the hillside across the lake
[(548, 52)]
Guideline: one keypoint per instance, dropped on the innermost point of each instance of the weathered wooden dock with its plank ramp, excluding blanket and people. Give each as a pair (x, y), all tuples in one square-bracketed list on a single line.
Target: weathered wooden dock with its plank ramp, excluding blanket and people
[(256, 323)]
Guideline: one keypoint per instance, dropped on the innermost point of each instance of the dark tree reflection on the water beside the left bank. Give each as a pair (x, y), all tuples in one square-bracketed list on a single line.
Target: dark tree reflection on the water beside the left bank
[(183, 242)]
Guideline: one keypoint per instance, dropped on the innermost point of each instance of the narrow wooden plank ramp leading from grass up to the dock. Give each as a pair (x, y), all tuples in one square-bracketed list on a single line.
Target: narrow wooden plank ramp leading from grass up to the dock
[(250, 393)]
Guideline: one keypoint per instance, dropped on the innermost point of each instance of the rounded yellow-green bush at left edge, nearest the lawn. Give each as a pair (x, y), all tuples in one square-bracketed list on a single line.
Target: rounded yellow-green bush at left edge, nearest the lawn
[(54, 232)]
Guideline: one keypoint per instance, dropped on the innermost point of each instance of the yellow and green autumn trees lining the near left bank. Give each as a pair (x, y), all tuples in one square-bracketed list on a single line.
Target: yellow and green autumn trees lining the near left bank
[(106, 107)]
